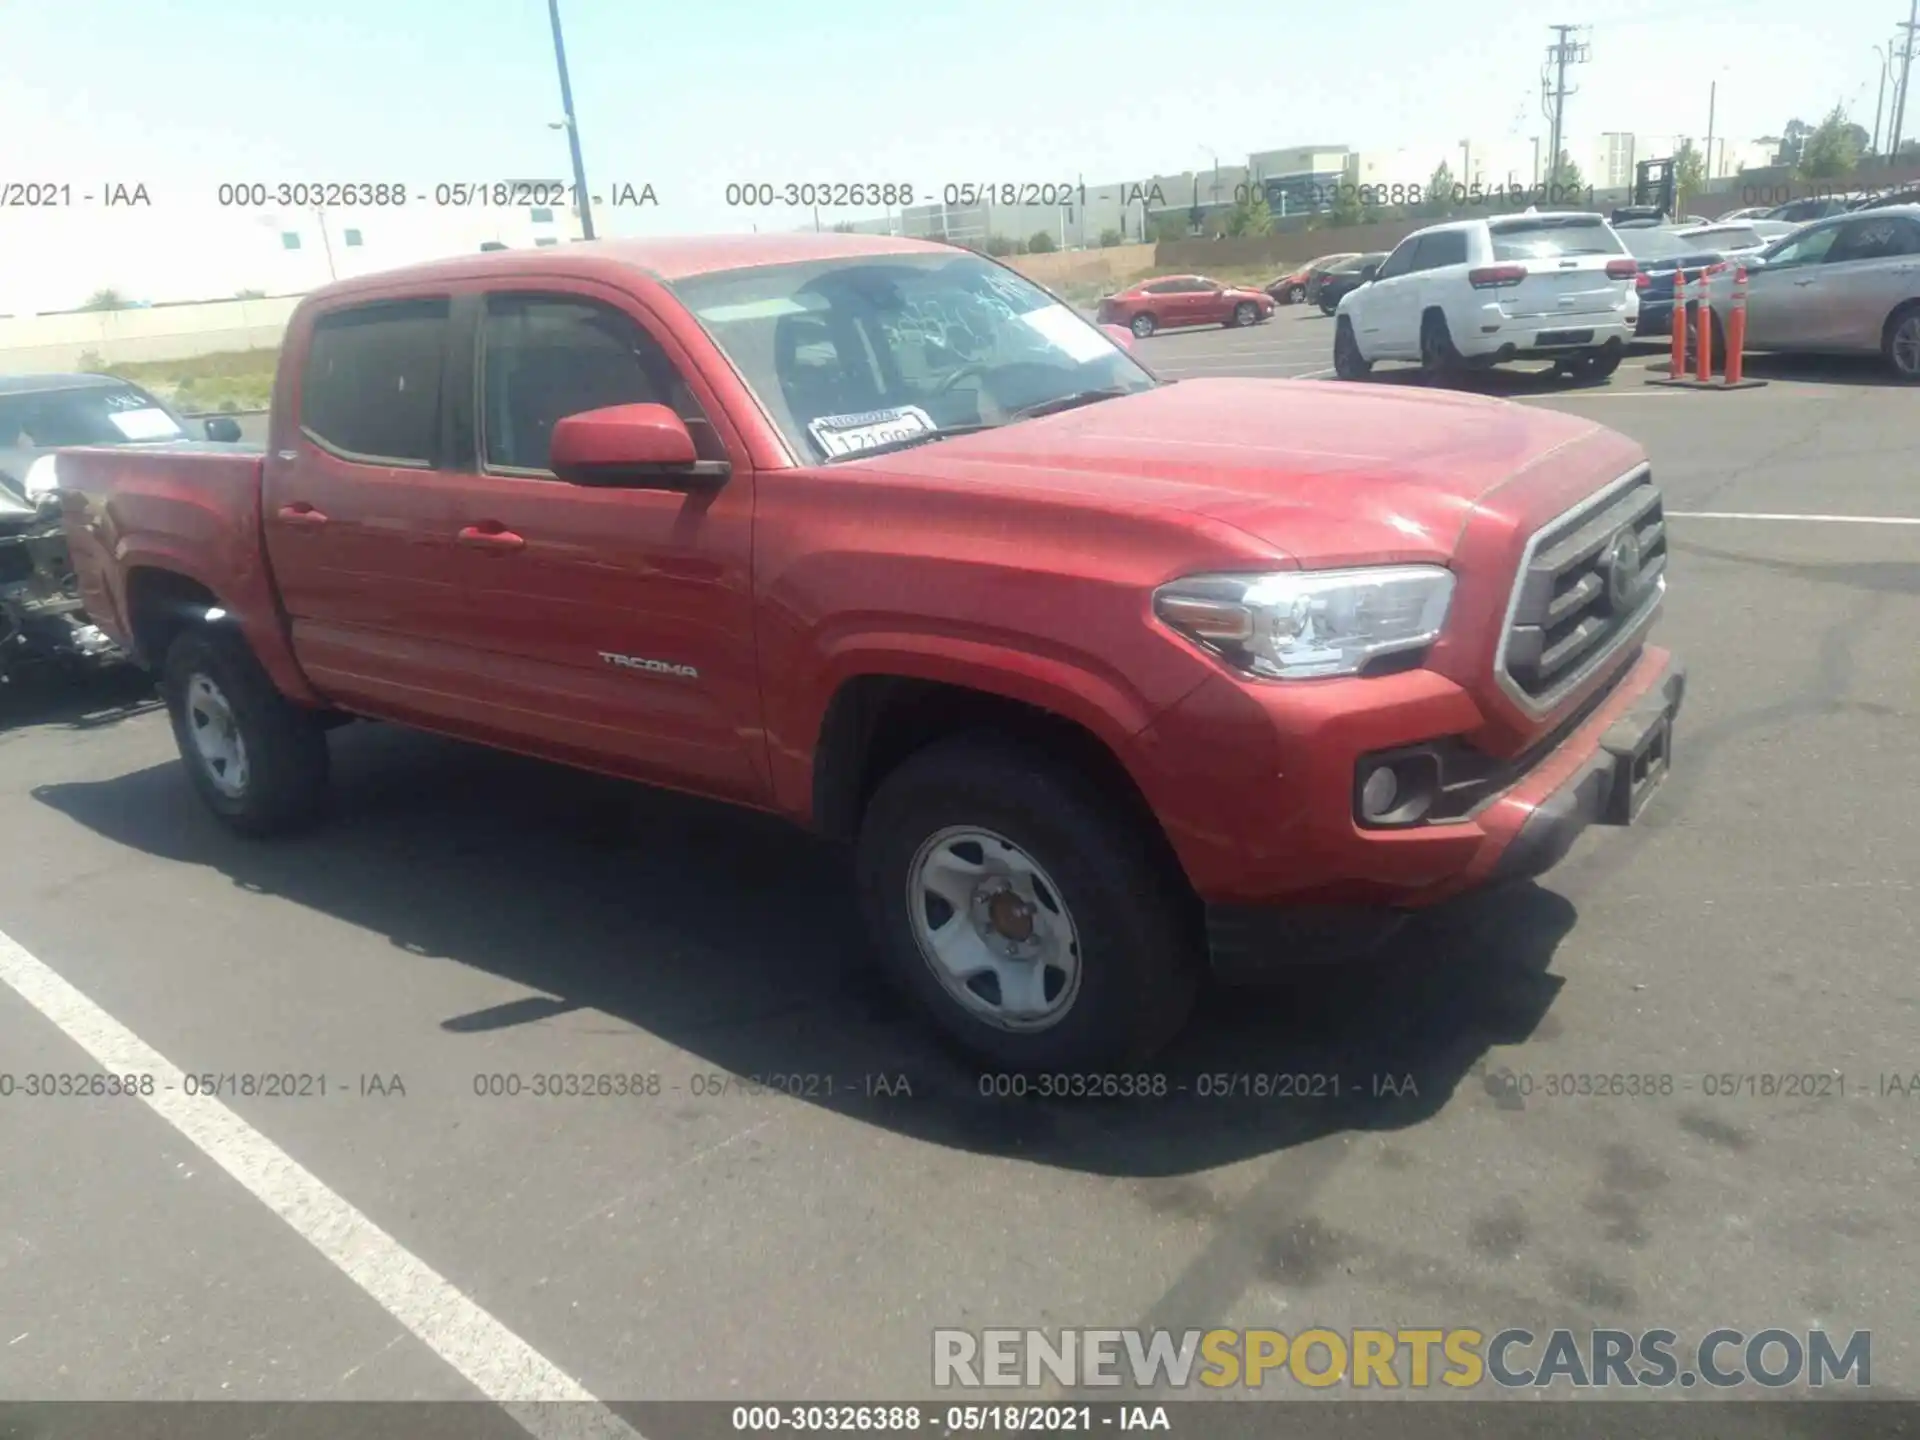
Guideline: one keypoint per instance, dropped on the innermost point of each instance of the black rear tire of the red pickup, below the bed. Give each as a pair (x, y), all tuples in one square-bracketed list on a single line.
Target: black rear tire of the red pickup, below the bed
[(285, 748)]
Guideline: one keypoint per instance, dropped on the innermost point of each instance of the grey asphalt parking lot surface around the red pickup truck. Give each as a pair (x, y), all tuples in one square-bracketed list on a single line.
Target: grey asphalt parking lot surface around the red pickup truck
[(471, 917)]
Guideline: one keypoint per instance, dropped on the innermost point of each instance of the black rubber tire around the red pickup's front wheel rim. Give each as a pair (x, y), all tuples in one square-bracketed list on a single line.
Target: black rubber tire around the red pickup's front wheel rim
[(1138, 949)]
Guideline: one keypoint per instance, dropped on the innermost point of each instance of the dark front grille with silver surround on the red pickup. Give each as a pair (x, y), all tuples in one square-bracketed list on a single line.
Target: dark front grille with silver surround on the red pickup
[(1585, 583)]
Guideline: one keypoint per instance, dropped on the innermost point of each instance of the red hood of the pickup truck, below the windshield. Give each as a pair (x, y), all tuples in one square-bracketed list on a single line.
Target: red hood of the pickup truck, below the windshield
[(1324, 473)]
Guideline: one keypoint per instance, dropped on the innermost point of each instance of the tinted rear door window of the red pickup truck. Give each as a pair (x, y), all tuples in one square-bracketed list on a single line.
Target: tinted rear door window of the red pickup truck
[(372, 387)]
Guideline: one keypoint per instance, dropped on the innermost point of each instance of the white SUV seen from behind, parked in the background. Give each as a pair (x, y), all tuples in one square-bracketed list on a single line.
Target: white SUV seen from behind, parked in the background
[(1481, 293)]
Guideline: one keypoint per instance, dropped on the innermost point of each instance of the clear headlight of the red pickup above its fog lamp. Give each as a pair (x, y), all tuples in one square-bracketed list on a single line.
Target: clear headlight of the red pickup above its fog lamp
[(1303, 625)]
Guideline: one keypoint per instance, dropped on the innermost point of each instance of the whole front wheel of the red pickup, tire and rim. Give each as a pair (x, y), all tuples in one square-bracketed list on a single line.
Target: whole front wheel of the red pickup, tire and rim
[(1022, 911)]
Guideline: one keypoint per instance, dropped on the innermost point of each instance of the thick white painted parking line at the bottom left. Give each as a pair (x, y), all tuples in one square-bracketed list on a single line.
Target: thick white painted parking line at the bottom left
[(491, 1356)]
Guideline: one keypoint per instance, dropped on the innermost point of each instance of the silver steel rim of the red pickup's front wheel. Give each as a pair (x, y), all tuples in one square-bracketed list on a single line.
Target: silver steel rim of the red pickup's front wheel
[(994, 928)]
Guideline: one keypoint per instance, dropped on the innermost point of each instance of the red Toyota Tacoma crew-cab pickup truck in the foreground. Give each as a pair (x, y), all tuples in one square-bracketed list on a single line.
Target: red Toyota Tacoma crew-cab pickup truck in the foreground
[(1103, 679)]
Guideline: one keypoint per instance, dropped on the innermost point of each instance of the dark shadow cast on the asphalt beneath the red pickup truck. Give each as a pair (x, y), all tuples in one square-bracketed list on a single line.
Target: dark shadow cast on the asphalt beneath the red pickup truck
[(736, 940)]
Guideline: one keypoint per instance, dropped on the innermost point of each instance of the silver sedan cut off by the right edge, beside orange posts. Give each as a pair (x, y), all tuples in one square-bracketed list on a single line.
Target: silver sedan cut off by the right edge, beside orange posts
[(1840, 287)]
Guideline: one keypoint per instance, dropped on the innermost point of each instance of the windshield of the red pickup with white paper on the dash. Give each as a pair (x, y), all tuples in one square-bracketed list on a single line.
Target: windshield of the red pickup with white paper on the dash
[(880, 350)]
